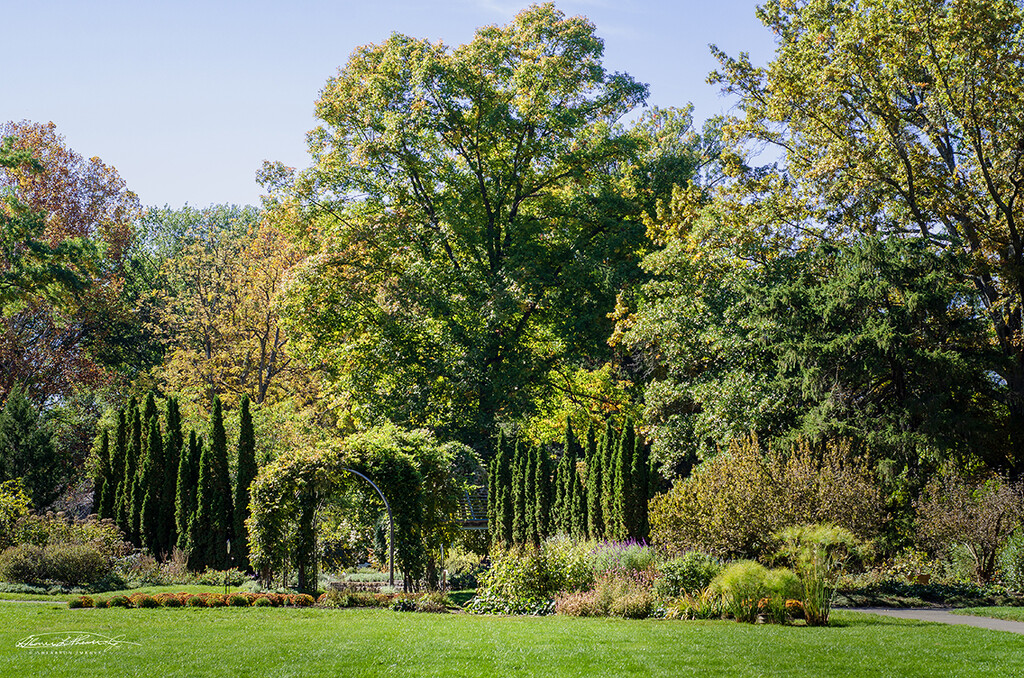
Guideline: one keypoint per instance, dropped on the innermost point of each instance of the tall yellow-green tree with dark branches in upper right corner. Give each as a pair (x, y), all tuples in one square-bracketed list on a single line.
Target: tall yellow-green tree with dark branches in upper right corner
[(903, 116)]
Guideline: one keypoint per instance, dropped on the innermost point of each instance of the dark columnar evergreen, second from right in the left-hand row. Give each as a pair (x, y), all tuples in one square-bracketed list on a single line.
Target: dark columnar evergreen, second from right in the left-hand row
[(214, 505)]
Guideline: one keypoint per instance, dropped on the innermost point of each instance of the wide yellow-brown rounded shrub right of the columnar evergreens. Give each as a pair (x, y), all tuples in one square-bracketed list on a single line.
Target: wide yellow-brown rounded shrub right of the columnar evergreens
[(734, 504)]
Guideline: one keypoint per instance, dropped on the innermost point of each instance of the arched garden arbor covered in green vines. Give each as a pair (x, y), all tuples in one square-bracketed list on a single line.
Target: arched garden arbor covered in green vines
[(422, 480)]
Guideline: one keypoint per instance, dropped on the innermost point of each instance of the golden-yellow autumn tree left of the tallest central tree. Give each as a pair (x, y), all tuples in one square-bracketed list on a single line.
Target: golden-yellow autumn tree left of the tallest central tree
[(222, 269)]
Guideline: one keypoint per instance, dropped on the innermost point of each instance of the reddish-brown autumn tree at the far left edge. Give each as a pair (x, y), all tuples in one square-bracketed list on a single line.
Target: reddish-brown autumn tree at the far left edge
[(84, 215)]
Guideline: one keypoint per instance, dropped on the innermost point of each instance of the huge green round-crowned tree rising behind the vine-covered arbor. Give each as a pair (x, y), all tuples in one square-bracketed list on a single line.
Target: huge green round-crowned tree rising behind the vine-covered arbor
[(468, 232)]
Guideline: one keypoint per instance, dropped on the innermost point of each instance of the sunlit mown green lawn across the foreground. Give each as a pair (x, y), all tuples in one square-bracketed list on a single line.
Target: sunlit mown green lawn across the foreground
[(373, 643)]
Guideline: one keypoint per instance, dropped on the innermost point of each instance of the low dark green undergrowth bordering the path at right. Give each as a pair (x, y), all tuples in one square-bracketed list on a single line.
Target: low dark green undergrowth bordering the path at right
[(902, 595)]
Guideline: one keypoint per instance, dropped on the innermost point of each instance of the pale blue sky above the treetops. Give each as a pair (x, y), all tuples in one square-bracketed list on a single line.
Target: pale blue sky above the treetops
[(188, 99)]
